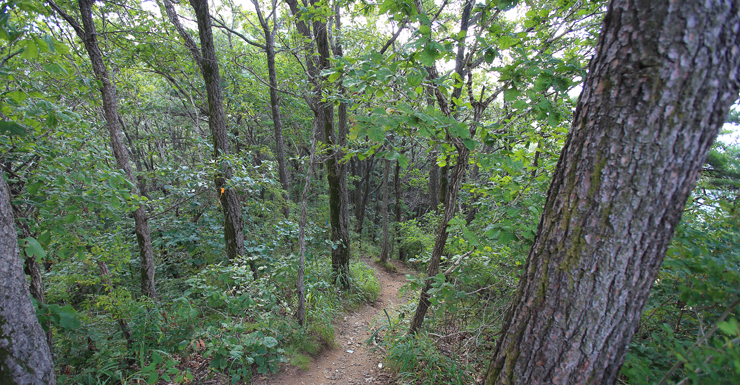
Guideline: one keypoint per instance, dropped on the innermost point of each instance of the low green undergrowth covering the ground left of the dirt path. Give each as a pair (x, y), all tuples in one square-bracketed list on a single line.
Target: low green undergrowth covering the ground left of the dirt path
[(220, 318)]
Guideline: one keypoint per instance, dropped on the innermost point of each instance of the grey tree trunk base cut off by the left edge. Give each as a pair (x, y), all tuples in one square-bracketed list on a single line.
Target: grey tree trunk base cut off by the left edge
[(25, 357)]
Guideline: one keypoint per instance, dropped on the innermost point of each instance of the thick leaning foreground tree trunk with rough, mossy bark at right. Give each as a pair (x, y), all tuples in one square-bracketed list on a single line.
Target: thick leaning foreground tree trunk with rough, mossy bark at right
[(659, 88)]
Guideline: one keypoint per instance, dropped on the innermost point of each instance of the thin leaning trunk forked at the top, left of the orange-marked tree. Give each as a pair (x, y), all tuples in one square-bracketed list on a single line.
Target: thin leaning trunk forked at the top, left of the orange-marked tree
[(88, 35)]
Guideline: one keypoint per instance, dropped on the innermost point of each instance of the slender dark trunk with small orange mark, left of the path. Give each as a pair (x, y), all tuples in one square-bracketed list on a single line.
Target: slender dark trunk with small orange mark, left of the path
[(229, 199)]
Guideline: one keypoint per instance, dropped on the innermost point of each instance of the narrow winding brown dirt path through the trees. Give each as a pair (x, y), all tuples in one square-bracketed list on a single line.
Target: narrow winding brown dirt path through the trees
[(351, 361)]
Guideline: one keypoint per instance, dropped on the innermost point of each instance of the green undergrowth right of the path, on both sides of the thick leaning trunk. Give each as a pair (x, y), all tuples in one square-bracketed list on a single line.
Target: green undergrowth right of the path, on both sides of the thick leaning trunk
[(689, 330)]
